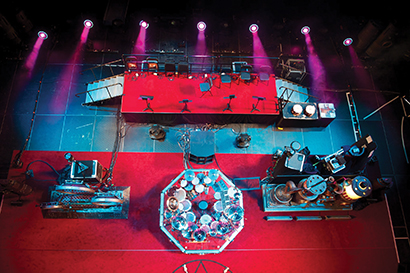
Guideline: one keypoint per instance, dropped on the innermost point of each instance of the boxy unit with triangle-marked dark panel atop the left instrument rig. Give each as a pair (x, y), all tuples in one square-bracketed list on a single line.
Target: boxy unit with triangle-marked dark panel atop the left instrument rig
[(88, 170)]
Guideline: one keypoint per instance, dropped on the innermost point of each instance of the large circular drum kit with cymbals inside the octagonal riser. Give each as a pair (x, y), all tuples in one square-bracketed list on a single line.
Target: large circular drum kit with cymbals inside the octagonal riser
[(207, 216)]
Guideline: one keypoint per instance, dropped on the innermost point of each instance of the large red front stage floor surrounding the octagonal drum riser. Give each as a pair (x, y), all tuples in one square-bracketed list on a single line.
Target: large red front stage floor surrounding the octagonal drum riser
[(30, 243)]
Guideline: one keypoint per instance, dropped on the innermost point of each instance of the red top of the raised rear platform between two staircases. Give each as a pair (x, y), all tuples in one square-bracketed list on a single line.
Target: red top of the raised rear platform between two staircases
[(169, 91)]
